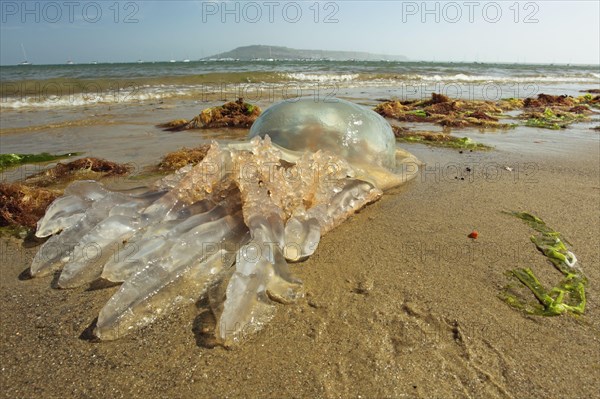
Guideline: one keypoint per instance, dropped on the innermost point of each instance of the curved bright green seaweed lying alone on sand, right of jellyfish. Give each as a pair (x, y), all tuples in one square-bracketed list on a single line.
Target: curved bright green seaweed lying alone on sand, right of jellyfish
[(569, 294)]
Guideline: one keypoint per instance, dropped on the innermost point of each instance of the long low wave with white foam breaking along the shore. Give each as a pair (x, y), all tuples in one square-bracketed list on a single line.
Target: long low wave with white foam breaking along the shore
[(285, 85)]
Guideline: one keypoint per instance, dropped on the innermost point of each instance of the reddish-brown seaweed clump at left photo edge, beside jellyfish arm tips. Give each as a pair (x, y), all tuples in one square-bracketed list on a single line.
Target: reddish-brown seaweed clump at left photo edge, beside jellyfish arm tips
[(22, 205)]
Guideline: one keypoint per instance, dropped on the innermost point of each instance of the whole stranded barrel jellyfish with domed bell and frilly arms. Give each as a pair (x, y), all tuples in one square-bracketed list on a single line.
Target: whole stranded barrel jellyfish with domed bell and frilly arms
[(229, 224)]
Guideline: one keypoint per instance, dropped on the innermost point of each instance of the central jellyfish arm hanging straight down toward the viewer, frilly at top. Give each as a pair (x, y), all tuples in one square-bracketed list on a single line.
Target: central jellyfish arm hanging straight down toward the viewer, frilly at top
[(261, 272)]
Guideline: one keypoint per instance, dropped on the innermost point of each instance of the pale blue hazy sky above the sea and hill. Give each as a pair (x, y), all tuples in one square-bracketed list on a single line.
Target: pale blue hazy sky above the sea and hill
[(485, 31)]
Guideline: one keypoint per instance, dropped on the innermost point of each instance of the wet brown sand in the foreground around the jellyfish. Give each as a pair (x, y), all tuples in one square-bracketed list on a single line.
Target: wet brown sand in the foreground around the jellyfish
[(399, 302)]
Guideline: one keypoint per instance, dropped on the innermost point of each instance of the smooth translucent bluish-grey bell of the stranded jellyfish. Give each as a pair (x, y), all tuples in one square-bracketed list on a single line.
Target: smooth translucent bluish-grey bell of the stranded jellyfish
[(356, 133)]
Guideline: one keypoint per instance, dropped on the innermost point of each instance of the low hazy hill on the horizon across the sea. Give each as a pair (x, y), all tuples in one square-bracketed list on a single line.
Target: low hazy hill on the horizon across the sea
[(284, 53)]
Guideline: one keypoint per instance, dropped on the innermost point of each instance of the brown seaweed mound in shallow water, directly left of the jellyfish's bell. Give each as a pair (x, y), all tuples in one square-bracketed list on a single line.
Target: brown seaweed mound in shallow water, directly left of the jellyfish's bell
[(238, 114)]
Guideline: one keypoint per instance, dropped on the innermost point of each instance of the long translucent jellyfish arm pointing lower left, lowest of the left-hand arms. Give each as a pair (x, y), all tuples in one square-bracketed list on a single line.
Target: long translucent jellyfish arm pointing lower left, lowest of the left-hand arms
[(178, 277)]
